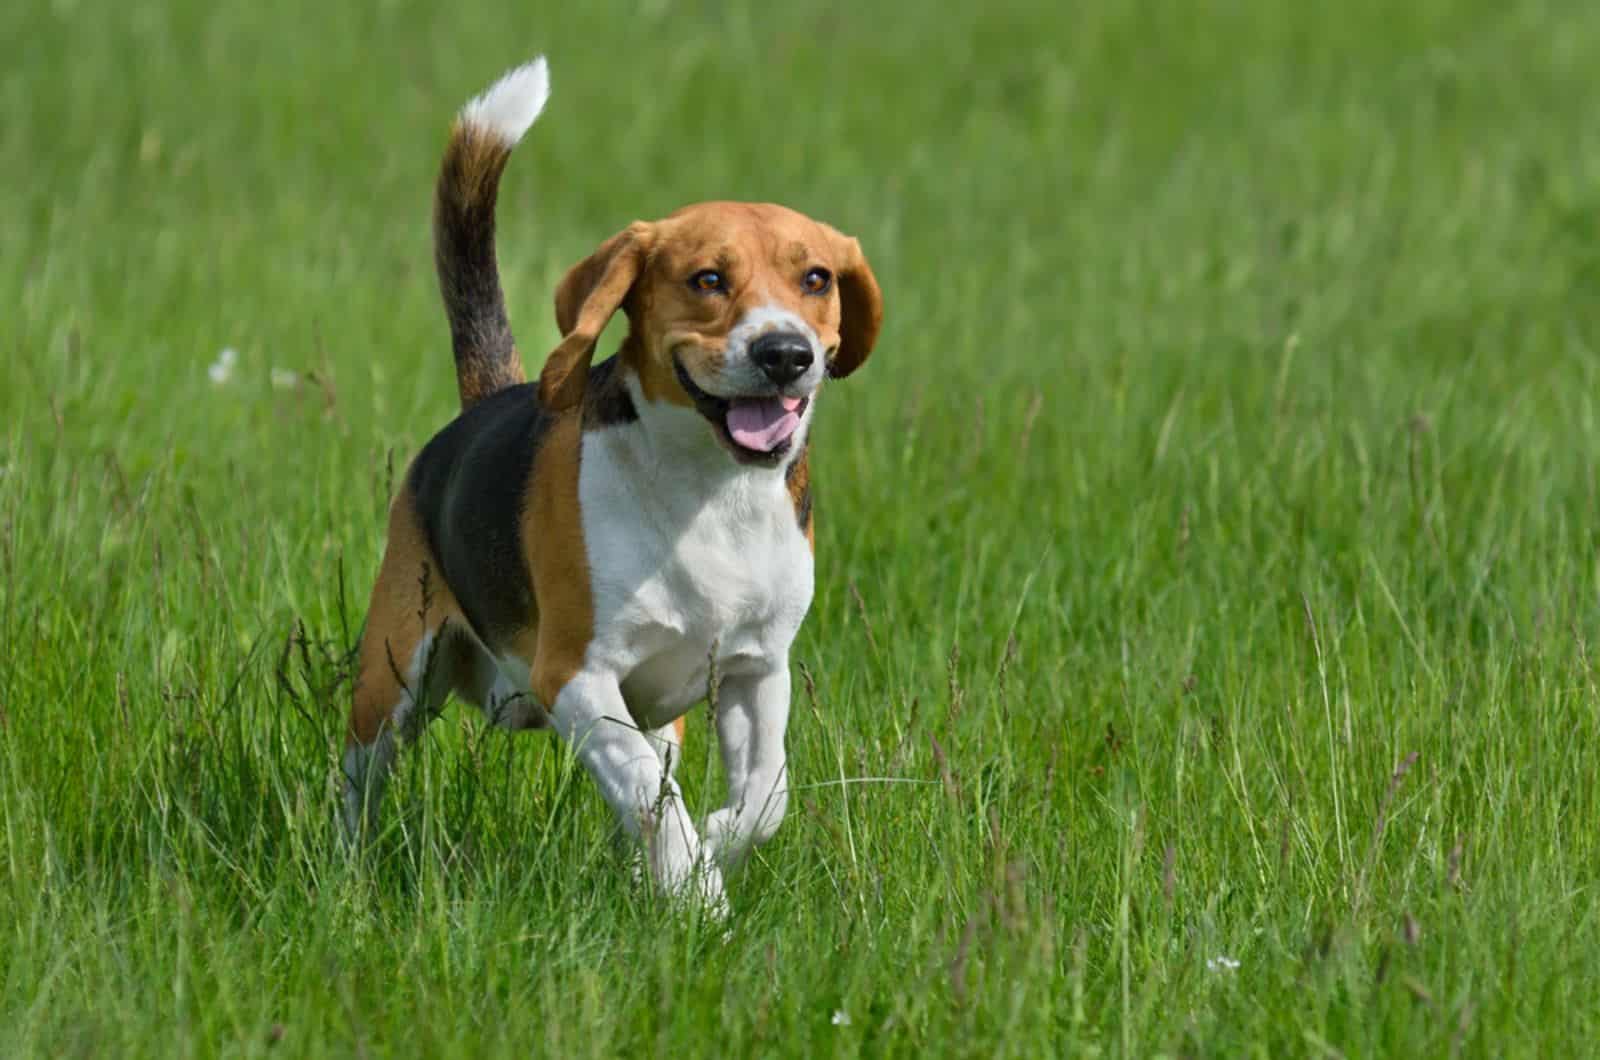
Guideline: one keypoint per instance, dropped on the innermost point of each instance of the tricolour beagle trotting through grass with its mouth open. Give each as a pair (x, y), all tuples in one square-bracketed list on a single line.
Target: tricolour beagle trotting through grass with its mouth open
[(588, 552)]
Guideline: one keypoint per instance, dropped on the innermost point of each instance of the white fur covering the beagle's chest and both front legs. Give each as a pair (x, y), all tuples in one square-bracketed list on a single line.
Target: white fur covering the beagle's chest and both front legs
[(695, 563)]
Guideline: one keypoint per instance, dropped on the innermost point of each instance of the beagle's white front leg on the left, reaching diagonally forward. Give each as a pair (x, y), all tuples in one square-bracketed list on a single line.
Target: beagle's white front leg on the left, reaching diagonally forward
[(590, 713)]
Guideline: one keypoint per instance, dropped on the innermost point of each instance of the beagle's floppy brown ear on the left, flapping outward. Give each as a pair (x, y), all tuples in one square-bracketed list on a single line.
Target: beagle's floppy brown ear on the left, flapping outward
[(585, 302)]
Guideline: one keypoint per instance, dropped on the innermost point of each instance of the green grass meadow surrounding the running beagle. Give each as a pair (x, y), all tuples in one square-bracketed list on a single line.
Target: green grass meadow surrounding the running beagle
[(1212, 542)]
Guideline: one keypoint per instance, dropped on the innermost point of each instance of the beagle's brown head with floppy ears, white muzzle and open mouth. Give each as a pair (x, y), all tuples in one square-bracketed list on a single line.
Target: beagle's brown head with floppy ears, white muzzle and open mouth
[(735, 310)]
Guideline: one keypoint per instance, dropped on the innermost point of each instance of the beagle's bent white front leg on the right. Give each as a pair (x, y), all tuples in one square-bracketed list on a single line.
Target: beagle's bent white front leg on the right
[(753, 713)]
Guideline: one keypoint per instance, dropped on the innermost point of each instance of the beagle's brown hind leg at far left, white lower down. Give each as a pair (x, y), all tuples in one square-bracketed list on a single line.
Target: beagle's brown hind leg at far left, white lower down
[(407, 664)]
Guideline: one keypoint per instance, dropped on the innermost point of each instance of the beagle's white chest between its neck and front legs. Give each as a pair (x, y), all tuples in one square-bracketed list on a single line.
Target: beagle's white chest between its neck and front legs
[(689, 568)]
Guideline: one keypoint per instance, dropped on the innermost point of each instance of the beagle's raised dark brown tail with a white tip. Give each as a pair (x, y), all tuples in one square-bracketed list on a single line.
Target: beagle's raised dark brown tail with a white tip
[(481, 145)]
